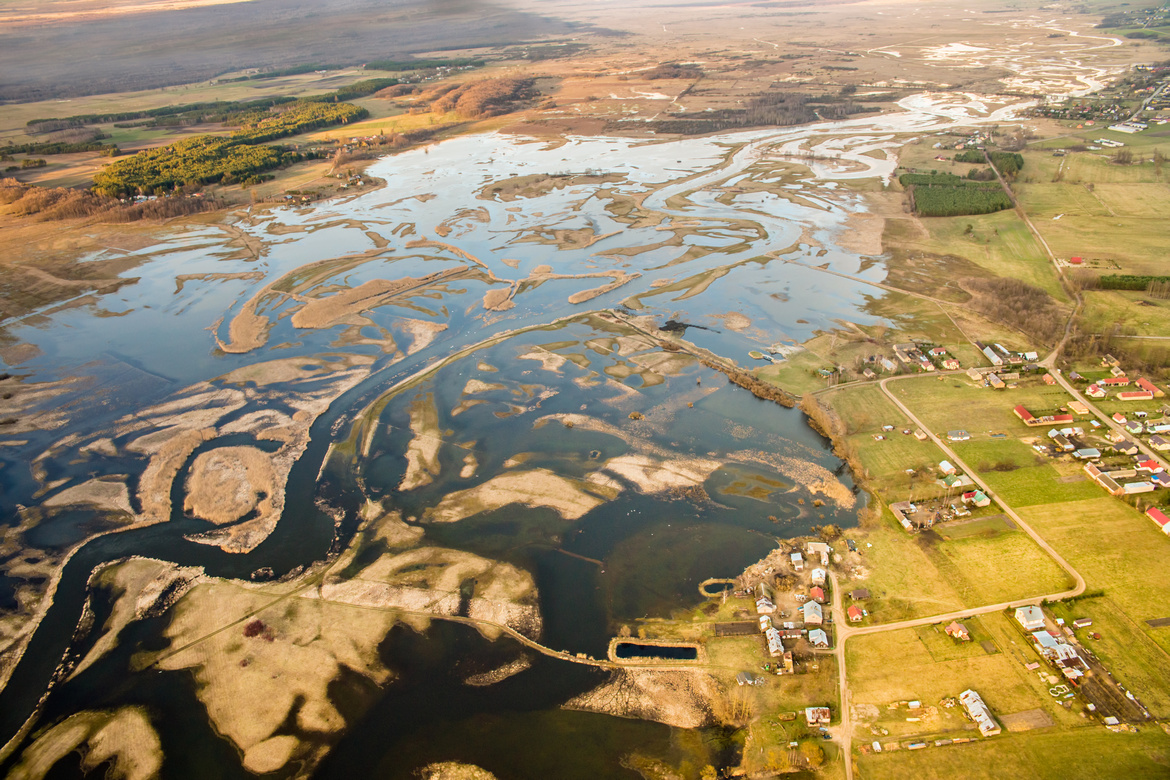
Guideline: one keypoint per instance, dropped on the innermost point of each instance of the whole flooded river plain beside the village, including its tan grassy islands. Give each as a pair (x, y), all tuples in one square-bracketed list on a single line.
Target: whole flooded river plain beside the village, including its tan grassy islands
[(256, 474)]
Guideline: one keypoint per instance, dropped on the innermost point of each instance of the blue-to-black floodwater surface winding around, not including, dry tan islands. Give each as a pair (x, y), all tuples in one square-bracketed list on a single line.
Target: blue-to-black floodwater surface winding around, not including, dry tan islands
[(694, 230)]
